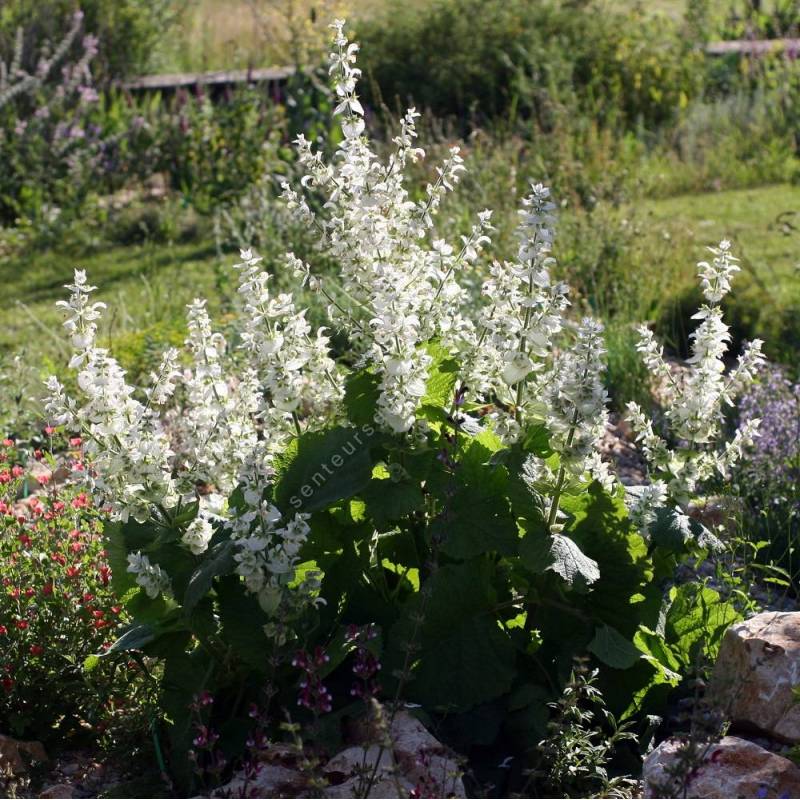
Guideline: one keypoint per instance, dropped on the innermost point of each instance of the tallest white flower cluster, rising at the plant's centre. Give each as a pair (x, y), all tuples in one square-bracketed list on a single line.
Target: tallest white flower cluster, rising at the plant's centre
[(402, 291)]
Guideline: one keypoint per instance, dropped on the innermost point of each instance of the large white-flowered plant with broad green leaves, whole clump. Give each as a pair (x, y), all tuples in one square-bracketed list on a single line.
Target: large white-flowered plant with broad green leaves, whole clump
[(442, 479)]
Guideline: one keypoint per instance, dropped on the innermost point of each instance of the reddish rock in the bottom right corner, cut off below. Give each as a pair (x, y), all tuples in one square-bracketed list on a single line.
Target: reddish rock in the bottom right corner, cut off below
[(731, 768)]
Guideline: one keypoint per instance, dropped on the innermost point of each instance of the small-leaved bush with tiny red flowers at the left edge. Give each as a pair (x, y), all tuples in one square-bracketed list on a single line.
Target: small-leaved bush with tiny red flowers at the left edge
[(57, 607)]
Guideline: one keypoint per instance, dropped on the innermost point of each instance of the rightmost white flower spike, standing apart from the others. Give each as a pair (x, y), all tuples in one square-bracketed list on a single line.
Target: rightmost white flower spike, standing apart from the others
[(694, 412)]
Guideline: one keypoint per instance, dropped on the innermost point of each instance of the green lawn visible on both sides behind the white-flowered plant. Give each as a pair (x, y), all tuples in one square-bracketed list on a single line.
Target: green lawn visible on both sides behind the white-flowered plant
[(147, 286)]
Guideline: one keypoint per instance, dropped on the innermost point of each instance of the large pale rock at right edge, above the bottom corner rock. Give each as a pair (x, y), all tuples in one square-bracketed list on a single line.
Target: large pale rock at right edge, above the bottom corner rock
[(756, 671)]
